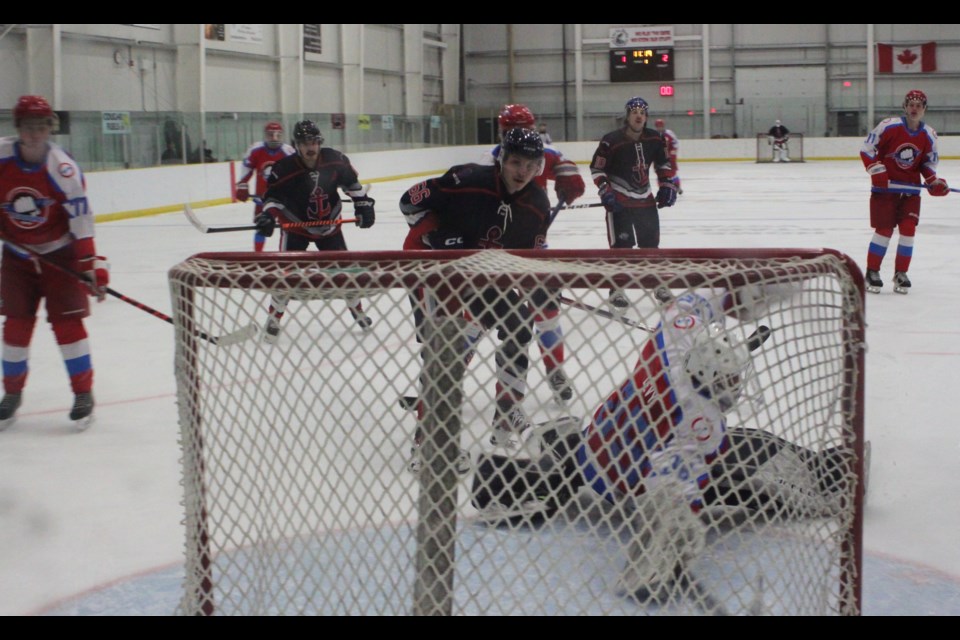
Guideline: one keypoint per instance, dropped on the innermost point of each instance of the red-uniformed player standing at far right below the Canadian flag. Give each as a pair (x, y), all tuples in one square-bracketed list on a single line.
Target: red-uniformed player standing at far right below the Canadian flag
[(904, 150)]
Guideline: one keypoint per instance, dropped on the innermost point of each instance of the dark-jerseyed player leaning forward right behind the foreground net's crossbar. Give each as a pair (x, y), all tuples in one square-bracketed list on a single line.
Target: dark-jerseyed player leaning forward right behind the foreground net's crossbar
[(497, 206)]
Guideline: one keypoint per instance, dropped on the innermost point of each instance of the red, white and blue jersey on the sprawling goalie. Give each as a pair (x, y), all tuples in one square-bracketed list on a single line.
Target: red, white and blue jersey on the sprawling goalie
[(655, 425)]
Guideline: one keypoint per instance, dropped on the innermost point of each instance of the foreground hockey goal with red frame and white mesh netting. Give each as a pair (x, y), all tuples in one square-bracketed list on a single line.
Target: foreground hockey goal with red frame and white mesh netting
[(299, 494)]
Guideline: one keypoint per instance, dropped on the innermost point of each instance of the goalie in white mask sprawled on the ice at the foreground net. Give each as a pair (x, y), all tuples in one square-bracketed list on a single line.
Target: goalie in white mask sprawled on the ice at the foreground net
[(658, 452)]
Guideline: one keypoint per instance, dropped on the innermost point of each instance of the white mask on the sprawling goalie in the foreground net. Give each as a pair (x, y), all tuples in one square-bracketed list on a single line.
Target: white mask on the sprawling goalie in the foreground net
[(718, 366)]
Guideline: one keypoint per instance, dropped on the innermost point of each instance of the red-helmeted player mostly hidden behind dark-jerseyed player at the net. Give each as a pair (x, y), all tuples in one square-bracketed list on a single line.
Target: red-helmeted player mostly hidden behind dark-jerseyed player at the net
[(568, 187)]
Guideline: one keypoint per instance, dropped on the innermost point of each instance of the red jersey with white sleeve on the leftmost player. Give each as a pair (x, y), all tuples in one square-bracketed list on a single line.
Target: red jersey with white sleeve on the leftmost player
[(43, 206)]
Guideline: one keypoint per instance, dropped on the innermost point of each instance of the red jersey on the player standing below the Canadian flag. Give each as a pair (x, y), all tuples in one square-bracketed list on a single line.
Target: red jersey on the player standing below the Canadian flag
[(908, 155)]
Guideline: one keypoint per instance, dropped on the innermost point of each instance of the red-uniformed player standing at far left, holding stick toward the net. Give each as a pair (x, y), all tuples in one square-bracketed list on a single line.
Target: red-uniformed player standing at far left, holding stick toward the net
[(45, 209)]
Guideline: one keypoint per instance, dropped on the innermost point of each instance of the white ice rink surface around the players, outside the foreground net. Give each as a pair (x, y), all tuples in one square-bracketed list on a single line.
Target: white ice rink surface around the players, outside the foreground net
[(90, 524)]
